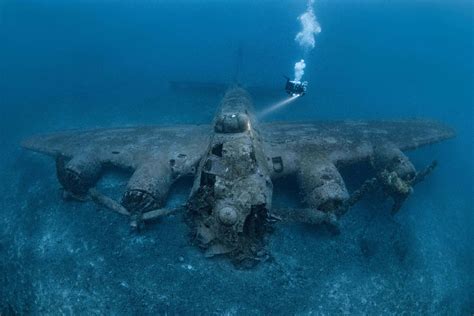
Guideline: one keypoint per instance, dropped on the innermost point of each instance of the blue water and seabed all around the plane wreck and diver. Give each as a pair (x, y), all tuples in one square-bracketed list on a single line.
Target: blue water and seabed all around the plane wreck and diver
[(86, 64)]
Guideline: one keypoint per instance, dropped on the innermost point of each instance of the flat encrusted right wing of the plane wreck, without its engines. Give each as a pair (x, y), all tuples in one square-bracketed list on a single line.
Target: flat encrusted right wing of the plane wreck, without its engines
[(346, 142)]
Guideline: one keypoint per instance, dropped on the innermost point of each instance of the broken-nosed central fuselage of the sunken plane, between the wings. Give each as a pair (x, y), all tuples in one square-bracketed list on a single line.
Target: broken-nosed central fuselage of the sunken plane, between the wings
[(232, 191)]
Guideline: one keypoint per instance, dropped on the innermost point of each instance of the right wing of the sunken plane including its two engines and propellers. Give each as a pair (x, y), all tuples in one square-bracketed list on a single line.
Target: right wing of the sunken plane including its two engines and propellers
[(314, 151)]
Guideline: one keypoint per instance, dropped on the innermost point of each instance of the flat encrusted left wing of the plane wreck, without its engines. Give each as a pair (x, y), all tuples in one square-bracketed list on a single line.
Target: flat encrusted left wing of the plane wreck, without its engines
[(126, 147)]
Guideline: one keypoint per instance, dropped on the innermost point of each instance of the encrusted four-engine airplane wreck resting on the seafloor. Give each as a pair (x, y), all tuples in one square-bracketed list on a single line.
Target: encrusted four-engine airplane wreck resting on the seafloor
[(234, 162)]
